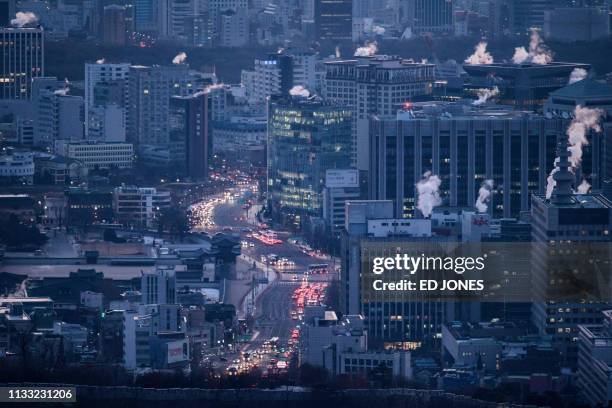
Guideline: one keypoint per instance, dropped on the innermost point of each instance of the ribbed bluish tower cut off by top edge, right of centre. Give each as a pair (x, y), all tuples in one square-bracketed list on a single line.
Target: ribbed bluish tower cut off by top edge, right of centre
[(429, 15)]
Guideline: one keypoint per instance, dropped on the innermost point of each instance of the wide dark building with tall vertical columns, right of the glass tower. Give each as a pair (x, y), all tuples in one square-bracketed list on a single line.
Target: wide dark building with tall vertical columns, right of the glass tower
[(465, 147)]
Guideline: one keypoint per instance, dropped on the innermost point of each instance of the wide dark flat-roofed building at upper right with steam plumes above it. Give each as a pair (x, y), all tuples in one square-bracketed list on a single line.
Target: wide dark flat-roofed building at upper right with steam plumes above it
[(524, 86)]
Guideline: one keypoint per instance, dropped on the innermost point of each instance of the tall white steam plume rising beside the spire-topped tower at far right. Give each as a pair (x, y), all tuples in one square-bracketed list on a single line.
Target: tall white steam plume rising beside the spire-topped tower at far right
[(585, 120)]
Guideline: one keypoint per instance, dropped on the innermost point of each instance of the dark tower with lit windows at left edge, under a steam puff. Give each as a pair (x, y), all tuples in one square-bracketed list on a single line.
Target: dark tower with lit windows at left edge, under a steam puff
[(23, 58)]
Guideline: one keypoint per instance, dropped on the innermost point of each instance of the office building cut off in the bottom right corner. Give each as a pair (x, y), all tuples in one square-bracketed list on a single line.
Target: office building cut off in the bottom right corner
[(595, 361)]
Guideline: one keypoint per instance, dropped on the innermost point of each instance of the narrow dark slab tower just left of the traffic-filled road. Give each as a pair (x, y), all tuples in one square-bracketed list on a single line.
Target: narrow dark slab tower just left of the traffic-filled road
[(189, 126)]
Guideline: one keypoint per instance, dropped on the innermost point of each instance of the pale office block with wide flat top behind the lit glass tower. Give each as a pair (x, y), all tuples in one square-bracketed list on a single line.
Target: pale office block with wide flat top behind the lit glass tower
[(378, 85)]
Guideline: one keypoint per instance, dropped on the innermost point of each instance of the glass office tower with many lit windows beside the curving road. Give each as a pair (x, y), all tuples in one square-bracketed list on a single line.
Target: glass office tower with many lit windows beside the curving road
[(305, 139)]
